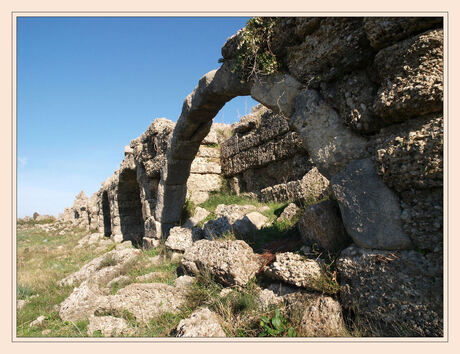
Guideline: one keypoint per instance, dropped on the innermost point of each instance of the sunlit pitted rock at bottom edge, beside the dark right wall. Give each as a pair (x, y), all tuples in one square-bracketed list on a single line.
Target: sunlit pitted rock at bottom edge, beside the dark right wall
[(321, 315)]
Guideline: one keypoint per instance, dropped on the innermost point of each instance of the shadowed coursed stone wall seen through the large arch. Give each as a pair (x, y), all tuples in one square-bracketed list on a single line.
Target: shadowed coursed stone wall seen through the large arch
[(265, 157)]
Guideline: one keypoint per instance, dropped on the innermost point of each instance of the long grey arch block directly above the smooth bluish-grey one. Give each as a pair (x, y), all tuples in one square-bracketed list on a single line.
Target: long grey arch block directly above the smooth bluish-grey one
[(329, 143)]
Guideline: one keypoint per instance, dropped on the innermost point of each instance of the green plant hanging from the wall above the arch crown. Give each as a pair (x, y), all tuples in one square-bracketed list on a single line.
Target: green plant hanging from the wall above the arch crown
[(254, 55)]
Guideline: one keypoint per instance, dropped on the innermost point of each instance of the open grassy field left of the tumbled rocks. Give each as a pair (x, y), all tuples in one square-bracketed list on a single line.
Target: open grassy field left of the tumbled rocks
[(42, 260)]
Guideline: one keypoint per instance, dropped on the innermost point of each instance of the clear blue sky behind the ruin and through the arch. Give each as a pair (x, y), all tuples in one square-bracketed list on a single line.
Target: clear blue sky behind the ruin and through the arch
[(88, 86)]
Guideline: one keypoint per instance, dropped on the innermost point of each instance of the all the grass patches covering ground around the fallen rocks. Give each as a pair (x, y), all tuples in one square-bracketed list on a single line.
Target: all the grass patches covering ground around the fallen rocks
[(43, 258)]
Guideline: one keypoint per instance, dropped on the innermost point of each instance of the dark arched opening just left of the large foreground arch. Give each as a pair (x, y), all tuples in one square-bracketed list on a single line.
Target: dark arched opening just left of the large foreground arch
[(130, 207)]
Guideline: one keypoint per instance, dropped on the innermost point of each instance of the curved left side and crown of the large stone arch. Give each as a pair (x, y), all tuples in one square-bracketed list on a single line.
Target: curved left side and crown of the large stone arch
[(214, 89)]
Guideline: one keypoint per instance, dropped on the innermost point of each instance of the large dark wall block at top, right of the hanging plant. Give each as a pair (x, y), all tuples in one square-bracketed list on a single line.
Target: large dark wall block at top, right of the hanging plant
[(338, 46)]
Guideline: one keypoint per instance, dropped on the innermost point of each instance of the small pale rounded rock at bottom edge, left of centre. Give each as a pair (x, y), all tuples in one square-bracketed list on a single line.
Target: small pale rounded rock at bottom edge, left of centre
[(201, 323)]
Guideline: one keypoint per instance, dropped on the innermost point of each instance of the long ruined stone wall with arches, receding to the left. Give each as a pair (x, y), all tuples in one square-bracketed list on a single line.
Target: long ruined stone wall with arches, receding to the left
[(357, 108)]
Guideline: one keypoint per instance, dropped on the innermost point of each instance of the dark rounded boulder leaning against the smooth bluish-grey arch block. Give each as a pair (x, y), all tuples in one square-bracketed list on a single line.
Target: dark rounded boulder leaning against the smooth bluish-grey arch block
[(322, 224)]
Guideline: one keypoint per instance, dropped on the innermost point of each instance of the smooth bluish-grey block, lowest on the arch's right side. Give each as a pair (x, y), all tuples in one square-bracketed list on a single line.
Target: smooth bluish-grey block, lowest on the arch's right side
[(370, 211)]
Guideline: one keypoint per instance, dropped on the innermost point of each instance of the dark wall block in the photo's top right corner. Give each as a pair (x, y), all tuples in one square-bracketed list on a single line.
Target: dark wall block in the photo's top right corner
[(384, 31)]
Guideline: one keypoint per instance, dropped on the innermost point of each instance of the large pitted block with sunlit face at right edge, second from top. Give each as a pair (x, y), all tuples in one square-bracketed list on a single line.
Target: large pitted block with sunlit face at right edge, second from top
[(411, 76)]
